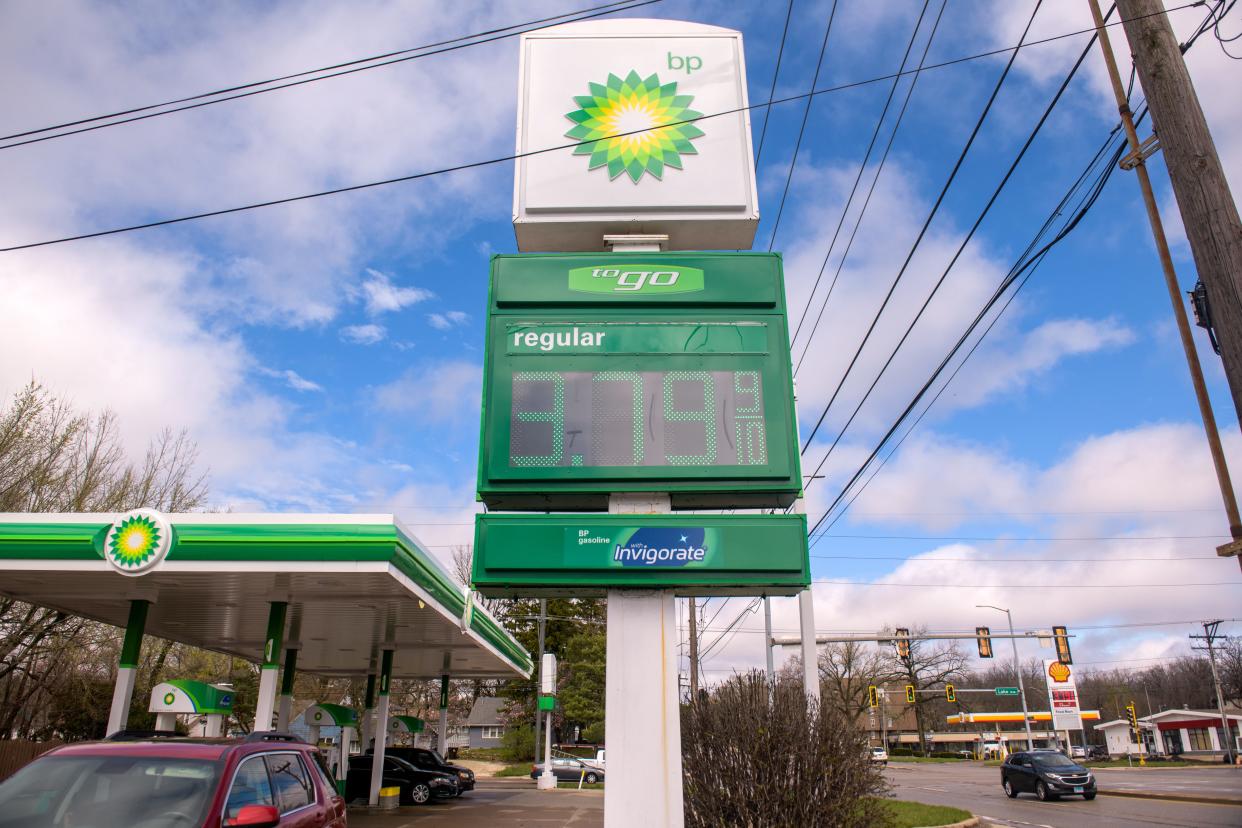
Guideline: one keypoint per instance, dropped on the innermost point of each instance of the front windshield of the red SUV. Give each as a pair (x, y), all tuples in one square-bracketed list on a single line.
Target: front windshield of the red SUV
[(106, 791)]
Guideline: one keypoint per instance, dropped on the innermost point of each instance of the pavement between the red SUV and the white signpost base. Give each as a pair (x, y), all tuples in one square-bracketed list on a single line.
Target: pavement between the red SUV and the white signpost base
[(496, 804)]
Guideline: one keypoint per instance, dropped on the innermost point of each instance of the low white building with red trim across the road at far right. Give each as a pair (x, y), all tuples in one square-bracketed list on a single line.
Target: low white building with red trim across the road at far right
[(1195, 734)]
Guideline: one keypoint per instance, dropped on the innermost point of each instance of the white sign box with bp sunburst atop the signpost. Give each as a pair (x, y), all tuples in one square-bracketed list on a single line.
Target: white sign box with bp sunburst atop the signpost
[(653, 136)]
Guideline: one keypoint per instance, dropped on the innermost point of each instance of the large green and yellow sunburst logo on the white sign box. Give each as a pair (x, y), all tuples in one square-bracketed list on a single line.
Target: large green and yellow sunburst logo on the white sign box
[(625, 127)]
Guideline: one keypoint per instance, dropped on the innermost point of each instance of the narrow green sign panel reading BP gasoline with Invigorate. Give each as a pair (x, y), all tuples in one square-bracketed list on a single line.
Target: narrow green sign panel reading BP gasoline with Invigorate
[(586, 556)]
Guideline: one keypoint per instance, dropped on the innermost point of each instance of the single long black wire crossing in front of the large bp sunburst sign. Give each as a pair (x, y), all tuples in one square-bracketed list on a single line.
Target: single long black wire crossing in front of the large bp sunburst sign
[(504, 160)]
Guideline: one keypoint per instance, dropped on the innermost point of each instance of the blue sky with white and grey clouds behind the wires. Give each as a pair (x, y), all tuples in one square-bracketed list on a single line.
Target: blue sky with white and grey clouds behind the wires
[(326, 356)]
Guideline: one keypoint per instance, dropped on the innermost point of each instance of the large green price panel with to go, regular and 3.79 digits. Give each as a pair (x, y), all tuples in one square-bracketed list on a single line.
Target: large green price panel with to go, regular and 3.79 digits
[(638, 373)]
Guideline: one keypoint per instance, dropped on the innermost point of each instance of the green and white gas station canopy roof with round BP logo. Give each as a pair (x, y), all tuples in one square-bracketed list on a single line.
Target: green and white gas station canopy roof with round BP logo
[(353, 584)]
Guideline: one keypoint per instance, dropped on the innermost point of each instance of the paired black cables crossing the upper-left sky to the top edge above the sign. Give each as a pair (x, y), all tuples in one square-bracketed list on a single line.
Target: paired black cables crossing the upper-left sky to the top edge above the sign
[(475, 40)]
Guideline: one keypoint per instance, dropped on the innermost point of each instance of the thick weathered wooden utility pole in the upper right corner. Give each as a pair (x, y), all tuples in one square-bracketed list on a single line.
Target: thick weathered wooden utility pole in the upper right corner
[(1204, 199)]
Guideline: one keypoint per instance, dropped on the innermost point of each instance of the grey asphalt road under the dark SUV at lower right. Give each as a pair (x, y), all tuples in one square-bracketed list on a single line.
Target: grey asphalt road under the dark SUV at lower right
[(978, 790)]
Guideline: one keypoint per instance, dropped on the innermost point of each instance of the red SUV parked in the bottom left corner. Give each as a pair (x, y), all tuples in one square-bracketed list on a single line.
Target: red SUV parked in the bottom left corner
[(265, 780)]
